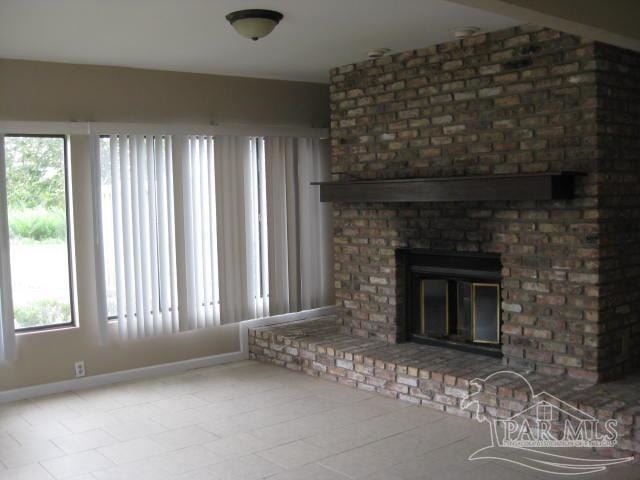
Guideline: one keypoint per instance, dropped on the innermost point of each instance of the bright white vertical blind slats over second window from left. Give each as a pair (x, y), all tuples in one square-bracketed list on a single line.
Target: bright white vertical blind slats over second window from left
[(141, 224)]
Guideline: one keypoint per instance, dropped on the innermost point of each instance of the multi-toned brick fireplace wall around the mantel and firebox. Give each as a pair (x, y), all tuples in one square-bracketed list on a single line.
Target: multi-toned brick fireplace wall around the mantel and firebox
[(520, 101)]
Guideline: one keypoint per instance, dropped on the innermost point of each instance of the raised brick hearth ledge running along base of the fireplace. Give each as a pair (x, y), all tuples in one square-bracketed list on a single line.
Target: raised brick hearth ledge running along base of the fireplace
[(435, 377)]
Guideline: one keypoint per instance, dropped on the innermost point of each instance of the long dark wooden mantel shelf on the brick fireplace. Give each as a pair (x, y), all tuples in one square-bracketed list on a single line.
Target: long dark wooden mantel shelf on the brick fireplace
[(529, 186)]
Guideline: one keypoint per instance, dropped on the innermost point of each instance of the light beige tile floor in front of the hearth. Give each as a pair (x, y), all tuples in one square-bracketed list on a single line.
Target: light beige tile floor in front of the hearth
[(243, 421)]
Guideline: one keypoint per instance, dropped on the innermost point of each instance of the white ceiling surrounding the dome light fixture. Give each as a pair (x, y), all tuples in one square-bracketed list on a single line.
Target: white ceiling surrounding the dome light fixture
[(193, 35)]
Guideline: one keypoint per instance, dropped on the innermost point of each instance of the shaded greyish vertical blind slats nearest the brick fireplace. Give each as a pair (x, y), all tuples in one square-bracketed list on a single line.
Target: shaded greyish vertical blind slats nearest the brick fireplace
[(299, 226)]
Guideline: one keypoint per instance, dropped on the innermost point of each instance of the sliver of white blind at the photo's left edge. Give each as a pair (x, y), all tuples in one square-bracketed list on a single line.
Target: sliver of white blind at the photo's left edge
[(7, 332)]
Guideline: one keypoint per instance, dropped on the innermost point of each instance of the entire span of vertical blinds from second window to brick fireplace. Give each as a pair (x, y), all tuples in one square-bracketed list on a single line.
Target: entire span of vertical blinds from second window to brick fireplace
[(210, 228)]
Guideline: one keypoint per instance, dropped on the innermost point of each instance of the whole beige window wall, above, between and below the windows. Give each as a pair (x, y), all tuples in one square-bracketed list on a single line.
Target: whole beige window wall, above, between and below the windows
[(39, 91)]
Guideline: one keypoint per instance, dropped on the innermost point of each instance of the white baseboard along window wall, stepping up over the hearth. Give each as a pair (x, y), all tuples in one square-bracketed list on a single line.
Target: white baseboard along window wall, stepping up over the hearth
[(162, 369)]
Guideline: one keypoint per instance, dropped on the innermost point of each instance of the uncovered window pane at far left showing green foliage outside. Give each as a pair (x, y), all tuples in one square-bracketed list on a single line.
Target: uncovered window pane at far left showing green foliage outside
[(37, 210)]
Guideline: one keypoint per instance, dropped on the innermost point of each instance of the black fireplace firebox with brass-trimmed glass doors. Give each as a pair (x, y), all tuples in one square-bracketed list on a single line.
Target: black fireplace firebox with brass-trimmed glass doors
[(452, 299)]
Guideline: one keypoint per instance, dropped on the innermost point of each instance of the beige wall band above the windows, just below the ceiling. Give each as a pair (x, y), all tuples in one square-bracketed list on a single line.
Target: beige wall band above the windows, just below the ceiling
[(62, 92)]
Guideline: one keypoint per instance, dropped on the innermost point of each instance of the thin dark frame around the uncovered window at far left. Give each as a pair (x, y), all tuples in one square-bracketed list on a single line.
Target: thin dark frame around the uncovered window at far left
[(70, 243)]
